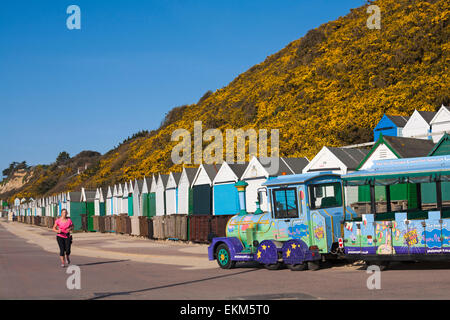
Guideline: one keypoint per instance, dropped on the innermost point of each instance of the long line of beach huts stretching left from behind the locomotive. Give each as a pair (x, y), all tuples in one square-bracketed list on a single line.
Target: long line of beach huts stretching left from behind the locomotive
[(206, 190)]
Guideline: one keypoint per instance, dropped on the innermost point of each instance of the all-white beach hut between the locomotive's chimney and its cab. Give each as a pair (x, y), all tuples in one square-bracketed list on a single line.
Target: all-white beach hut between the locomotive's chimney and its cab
[(257, 172)]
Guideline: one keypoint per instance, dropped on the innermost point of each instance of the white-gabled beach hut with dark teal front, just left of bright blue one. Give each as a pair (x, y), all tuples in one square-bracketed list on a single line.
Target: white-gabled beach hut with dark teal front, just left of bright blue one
[(202, 191)]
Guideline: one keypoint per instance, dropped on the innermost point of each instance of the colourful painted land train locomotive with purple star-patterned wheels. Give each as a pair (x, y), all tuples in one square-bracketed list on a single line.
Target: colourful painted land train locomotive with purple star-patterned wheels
[(302, 225)]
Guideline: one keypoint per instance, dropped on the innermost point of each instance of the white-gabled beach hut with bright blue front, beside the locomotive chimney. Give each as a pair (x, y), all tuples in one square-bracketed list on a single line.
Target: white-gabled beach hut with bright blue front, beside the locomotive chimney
[(226, 199)]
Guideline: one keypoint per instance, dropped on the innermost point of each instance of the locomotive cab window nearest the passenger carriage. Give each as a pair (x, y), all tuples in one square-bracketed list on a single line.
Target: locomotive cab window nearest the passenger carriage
[(325, 195)]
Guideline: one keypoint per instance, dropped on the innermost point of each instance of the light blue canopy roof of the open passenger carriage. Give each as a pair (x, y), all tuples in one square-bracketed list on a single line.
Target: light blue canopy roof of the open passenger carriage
[(407, 170)]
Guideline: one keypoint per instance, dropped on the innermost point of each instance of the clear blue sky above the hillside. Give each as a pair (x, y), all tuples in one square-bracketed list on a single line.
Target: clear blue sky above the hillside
[(131, 62)]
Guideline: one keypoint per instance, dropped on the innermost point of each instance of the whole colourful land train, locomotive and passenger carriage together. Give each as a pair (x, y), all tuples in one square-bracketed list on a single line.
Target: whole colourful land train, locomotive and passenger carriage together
[(396, 210)]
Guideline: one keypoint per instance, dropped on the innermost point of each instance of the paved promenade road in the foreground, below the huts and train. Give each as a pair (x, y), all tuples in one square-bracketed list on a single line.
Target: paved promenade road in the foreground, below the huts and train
[(123, 267)]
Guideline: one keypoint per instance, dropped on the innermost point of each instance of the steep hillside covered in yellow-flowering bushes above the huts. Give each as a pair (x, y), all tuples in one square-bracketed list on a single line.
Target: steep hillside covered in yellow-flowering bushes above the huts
[(330, 87)]
